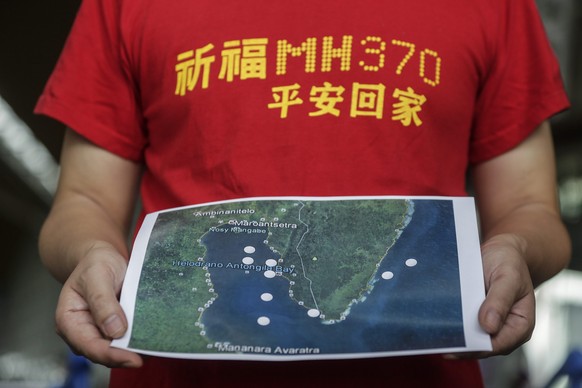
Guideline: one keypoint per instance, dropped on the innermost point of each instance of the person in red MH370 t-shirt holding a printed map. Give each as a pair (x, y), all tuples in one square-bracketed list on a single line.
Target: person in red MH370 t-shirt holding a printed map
[(188, 102)]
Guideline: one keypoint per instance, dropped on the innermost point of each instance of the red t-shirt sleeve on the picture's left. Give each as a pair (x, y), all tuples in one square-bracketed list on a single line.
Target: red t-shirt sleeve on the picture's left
[(91, 89)]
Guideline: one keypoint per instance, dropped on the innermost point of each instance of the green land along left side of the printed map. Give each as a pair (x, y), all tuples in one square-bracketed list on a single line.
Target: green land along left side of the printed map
[(167, 307)]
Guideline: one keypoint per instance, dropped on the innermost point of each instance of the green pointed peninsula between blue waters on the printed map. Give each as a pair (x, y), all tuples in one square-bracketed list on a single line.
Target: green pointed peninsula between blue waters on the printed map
[(341, 251)]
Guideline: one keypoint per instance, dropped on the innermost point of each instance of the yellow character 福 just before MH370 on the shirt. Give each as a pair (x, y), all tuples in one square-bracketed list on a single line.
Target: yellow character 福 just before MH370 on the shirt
[(248, 61)]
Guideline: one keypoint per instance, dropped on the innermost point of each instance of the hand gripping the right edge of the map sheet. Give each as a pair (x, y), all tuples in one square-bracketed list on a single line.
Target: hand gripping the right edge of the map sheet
[(508, 312)]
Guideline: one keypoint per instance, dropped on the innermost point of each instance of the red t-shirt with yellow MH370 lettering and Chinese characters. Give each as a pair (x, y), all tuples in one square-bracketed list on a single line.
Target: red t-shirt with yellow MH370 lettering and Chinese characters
[(224, 99)]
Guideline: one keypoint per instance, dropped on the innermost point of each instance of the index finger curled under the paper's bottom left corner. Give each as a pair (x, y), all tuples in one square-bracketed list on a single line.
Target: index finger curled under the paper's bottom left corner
[(76, 326)]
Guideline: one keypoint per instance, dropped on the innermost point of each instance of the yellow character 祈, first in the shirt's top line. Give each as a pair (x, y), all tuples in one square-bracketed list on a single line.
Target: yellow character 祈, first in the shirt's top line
[(190, 64)]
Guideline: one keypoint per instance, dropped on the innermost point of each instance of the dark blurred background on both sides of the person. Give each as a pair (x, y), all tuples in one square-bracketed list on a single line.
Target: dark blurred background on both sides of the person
[(32, 33)]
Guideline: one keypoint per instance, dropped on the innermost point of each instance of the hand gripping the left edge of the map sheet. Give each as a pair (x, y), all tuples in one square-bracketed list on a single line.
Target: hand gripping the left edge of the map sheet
[(89, 315)]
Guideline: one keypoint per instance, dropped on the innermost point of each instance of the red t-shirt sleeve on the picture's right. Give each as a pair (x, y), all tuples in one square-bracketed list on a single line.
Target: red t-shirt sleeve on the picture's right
[(523, 87)]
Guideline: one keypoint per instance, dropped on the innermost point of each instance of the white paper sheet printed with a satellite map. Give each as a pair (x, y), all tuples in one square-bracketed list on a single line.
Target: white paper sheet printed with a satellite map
[(296, 278)]
